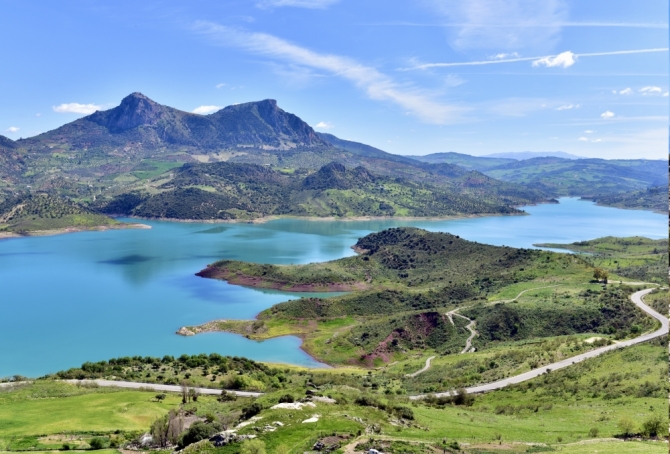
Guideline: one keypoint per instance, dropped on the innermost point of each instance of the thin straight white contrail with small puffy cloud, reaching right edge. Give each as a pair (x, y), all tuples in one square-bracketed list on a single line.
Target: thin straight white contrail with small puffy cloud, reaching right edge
[(564, 59)]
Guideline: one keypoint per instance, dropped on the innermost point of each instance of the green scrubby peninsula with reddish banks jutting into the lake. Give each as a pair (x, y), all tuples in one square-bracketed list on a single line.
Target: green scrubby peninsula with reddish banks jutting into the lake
[(407, 283)]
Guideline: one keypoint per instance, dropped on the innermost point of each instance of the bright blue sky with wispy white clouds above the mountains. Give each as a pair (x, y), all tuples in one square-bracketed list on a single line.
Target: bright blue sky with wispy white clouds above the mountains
[(413, 78)]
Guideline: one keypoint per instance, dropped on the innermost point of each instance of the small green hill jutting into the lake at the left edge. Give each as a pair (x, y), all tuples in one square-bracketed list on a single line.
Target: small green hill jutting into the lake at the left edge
[(42, 212)]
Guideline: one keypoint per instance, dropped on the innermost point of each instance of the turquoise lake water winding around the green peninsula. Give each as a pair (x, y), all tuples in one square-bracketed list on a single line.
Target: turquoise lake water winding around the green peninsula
[(90, 296)]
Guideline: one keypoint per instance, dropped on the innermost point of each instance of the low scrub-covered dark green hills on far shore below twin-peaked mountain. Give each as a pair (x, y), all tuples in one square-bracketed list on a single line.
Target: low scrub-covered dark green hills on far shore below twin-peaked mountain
[(228, 191)]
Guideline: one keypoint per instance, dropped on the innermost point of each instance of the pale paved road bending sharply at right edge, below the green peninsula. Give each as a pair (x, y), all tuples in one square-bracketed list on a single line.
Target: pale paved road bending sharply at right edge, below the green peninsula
[(635, 297)]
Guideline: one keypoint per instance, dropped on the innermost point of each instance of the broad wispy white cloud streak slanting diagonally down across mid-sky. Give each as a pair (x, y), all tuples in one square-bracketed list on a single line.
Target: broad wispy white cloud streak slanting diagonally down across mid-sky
[(375, 84)]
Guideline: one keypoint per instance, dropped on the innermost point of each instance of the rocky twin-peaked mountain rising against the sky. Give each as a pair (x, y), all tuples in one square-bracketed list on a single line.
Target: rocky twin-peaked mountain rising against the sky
[(140, 120)]
